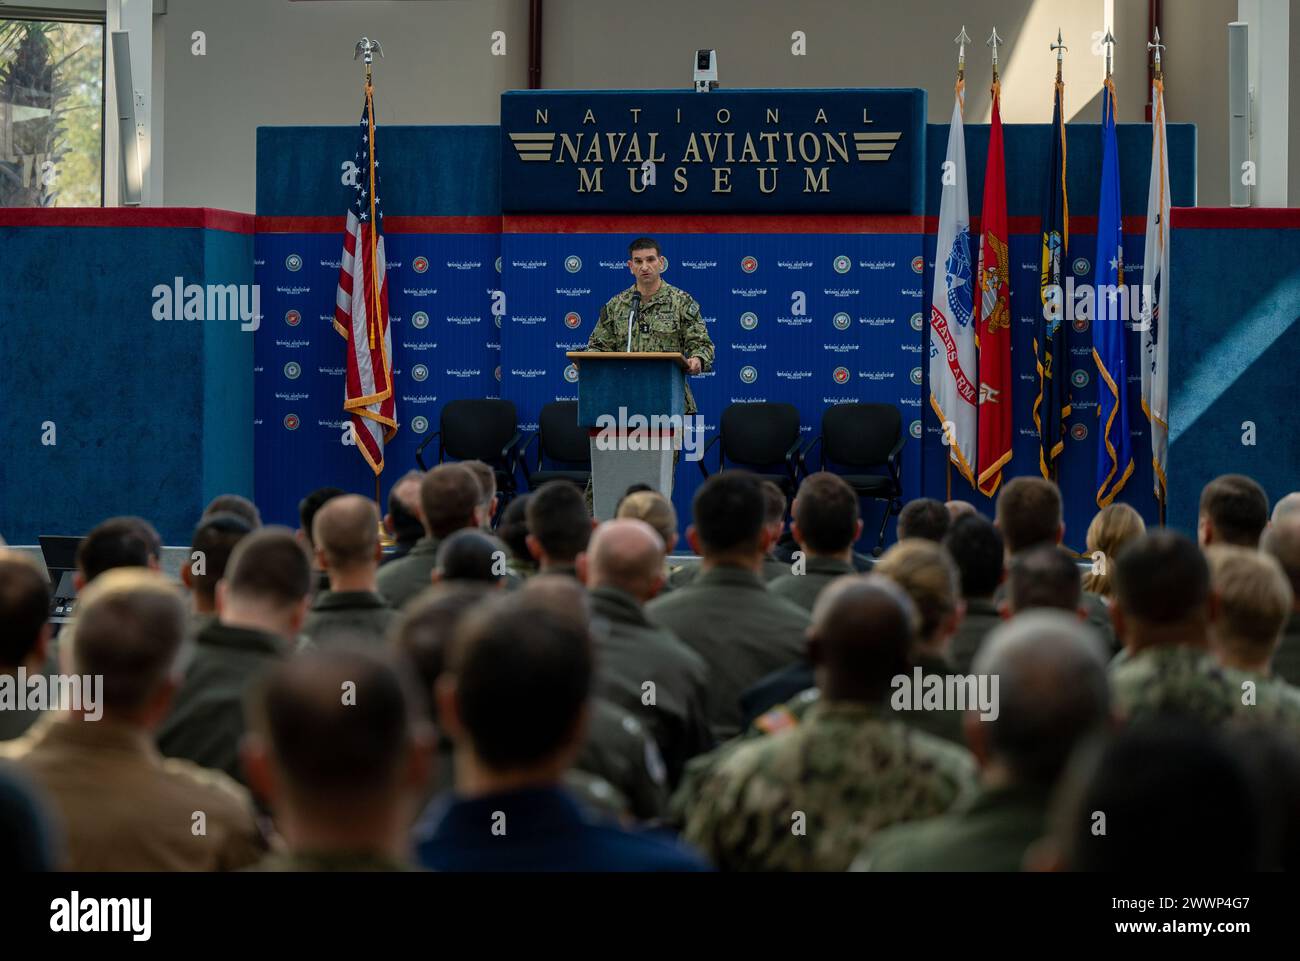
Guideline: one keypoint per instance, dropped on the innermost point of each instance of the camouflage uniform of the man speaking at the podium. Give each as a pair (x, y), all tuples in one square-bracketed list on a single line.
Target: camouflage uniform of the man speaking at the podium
[(669, 322)]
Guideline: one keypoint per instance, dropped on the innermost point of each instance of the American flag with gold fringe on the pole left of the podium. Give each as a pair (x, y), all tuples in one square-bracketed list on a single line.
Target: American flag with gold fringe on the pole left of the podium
[(362, 305)]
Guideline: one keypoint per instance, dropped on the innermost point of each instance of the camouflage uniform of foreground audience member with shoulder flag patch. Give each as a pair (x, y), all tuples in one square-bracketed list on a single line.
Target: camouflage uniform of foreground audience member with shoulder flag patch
[(848, 769)]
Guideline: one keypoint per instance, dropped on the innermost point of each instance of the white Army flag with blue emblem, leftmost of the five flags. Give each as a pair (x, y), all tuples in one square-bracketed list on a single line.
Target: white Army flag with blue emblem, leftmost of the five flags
[(952, 337)]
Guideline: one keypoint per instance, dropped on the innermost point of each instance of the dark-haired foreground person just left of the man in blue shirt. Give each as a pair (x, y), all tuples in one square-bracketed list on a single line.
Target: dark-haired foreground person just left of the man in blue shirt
[(344, 774)]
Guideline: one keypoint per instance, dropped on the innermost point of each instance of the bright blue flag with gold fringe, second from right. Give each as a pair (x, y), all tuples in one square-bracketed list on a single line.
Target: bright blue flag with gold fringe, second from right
[(1110, 332)]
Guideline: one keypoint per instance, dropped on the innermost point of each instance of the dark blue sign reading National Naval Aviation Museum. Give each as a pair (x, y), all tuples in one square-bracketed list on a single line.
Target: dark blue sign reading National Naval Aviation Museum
[(827, 151)]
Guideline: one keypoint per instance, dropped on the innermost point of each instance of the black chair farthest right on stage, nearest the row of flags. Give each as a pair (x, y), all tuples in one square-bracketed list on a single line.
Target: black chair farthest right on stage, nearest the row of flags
[(860, 438)]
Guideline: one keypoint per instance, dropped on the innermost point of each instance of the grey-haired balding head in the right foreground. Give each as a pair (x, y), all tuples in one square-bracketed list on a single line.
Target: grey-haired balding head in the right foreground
[(1052, 694)]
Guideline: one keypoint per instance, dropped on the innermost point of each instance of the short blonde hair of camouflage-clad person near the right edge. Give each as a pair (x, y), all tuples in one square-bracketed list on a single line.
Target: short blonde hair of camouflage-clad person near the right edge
[(1254, 599)]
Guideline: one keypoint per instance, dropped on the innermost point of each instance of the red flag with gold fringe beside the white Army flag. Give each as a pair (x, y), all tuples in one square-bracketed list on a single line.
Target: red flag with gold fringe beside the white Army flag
[(995, 317)]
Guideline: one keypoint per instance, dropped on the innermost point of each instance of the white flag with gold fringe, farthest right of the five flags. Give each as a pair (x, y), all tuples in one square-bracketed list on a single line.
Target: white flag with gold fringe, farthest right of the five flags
[(1155, 334)]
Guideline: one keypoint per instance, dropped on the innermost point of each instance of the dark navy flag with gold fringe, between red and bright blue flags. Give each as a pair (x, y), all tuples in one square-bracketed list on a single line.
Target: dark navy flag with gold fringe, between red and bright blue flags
[(1051, 352)]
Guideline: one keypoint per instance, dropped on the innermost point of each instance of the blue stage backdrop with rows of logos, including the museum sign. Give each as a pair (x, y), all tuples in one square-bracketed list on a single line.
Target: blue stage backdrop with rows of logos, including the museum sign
[(813, 297)]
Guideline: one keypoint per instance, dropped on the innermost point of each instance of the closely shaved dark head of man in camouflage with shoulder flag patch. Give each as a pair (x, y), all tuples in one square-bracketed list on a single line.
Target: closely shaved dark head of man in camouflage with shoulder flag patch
[(861, 637)]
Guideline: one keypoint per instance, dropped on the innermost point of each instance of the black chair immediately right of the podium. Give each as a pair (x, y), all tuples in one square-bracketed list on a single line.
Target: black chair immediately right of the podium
[(761, 438)]
